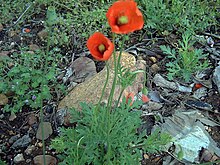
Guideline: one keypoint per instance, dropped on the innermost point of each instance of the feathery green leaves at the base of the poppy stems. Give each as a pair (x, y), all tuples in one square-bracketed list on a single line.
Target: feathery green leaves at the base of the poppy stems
[(87, 142)]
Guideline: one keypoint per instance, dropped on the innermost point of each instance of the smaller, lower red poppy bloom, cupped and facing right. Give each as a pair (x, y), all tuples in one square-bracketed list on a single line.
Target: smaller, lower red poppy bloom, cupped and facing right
[(100, 46)]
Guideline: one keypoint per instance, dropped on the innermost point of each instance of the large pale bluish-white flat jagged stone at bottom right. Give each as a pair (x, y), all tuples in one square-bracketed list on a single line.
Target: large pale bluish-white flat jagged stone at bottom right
[(188, 134)]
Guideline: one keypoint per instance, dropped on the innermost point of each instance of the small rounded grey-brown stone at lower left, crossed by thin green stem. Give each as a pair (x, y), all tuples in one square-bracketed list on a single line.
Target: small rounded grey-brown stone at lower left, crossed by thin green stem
[(47, 130)]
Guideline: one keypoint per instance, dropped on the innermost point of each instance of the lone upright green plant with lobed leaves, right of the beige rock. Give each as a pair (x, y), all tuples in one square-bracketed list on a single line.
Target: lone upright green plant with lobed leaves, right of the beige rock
[(186, 60)]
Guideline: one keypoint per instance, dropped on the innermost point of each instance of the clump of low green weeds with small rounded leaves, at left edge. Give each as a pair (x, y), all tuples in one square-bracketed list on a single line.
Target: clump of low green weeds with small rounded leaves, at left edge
[(23, 80)]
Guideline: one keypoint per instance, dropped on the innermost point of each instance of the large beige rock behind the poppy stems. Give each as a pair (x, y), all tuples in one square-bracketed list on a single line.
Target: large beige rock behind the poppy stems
[(90, 90)]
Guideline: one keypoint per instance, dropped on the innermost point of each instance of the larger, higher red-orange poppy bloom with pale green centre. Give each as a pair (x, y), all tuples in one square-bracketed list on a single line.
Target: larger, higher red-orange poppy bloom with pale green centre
[(124, 17)]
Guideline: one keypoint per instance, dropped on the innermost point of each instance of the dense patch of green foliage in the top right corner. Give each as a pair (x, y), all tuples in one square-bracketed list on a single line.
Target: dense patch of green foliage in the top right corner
[(178, 15)]
